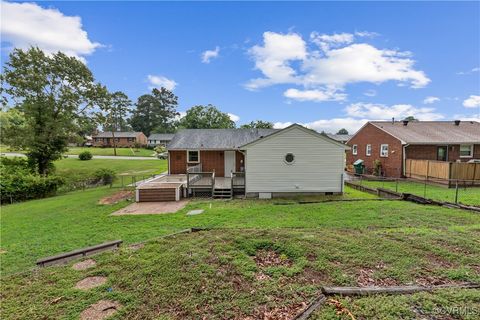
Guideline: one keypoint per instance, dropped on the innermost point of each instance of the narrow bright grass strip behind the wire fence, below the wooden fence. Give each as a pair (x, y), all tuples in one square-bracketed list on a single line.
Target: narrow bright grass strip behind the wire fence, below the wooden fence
[(470, 196)]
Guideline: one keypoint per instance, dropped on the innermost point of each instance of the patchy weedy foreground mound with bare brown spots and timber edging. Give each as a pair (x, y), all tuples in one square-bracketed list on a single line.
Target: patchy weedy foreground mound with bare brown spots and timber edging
[(216, 274)]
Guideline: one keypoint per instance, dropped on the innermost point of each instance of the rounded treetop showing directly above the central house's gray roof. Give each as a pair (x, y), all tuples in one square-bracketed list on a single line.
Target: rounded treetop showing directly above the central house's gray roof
[(206, 117)]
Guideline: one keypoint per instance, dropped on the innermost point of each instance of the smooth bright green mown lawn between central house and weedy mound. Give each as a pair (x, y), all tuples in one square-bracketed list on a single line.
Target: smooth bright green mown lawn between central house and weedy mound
[(44, 227)]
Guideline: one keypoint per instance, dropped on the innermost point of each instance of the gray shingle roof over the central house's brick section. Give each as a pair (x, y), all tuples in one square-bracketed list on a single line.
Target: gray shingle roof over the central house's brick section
[(220, 139)]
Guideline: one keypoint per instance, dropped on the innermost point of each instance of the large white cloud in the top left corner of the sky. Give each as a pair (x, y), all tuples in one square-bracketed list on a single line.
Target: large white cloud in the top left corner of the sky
[(27, 24)]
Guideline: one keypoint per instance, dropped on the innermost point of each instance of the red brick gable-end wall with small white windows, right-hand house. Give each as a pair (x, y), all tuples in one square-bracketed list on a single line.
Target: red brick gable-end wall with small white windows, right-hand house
[(391, 165)]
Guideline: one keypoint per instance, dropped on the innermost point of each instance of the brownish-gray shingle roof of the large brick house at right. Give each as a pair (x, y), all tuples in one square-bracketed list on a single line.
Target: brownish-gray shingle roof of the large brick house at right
[(433, 132)]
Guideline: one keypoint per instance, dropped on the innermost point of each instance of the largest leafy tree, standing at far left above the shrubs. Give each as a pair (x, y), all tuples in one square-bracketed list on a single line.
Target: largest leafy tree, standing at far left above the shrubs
[(51, 91)]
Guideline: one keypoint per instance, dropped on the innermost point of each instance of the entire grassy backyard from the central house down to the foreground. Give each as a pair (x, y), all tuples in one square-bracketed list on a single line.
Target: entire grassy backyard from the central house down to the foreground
[(259, 260)]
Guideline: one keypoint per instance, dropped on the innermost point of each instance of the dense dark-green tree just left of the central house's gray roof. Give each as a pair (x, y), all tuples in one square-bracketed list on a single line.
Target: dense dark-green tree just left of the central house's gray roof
[(155, 112)]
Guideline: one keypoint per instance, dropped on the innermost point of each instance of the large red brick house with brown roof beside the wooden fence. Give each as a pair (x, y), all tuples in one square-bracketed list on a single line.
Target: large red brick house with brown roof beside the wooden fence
[(393, 142)]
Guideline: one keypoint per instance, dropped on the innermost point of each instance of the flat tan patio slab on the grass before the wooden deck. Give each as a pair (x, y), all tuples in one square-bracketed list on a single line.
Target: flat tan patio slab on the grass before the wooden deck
[(138, 208)]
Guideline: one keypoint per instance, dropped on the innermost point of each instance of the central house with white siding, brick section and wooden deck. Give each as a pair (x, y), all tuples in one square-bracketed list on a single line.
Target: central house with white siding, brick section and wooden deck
[(260, 163)]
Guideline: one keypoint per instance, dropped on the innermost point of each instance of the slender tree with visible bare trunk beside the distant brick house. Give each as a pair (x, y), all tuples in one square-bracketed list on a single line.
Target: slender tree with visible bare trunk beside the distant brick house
[(113, 112)]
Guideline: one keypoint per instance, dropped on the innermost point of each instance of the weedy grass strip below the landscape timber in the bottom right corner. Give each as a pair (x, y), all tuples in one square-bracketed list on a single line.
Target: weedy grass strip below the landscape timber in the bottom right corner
[(441, 304)]
